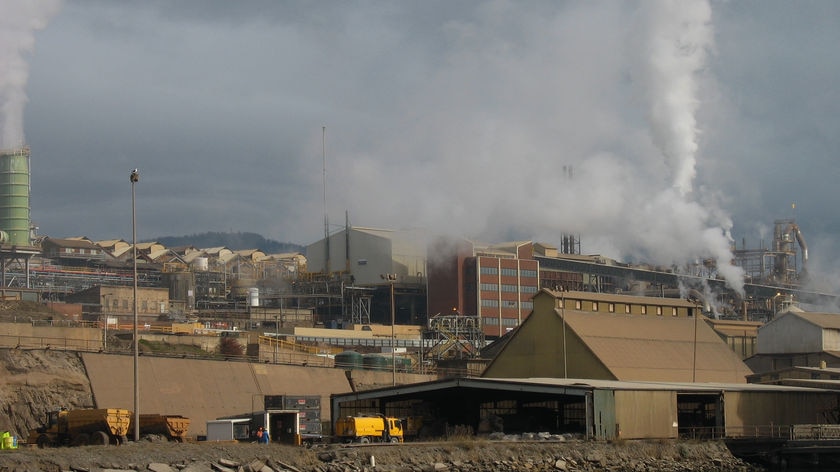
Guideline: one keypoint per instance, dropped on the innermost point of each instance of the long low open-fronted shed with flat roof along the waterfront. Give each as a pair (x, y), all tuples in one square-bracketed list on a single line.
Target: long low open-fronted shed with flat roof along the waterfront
[(592, 409)]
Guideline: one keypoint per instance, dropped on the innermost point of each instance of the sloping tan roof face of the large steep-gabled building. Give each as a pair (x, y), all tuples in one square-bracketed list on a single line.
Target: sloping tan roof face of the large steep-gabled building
[(673, 349)]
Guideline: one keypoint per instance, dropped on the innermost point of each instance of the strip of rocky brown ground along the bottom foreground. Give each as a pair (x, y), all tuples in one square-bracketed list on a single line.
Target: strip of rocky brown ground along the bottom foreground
[(459, 455)]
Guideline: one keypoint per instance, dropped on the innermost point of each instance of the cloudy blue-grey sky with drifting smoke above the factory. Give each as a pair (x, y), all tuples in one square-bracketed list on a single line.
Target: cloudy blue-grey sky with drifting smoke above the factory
[(663, 131)]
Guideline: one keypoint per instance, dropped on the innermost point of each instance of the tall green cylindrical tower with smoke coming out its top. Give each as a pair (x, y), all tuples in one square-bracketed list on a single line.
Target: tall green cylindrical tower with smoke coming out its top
[(14, 195)]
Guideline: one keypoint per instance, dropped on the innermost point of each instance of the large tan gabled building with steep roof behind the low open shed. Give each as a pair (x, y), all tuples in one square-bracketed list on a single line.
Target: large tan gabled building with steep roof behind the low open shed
[(616, 337)]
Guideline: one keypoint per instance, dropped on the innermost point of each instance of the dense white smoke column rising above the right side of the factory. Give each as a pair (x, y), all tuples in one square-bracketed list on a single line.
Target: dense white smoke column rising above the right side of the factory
[(679, 38)]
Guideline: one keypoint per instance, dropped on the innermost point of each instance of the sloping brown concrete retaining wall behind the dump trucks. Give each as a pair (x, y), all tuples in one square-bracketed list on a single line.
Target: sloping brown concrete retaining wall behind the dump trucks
[(205, 390)]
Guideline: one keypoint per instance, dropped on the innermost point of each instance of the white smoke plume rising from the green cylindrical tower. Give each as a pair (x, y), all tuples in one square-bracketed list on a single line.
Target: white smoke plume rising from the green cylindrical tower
[(19, 20)]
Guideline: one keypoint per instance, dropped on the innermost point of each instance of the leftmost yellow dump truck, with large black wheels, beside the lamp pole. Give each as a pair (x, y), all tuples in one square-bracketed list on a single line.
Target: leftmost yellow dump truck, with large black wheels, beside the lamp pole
[(82, 427)]
